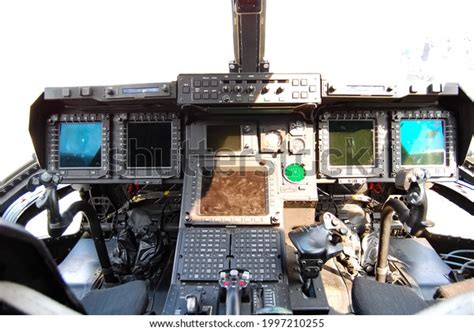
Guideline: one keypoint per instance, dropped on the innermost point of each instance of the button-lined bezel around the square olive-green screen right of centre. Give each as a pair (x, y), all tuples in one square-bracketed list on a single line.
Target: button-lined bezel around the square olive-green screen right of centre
[(380, 145)]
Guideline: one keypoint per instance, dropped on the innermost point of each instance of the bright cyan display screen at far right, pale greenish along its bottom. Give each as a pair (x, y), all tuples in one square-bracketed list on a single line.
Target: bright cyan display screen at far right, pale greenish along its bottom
[(423, 142)]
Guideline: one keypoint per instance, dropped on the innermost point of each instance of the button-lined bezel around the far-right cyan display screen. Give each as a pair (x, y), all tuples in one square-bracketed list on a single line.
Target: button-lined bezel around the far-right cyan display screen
[(449, 168)]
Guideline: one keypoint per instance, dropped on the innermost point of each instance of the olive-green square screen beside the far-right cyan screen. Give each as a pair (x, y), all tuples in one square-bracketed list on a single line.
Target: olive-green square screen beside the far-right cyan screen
[(351, 143)]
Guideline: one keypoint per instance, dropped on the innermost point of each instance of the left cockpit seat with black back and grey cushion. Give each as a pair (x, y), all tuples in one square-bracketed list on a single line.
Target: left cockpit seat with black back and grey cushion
[(25, 260)]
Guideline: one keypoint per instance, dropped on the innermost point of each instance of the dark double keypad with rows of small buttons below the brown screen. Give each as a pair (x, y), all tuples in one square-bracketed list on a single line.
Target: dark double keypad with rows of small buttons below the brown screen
[(206, 251)]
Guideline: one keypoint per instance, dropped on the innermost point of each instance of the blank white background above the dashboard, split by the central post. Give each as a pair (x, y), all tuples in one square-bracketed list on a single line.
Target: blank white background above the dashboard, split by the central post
[(93, 42)]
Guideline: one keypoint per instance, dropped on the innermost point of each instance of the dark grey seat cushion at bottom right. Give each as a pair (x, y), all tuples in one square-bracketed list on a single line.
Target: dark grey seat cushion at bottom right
[(370, 297)]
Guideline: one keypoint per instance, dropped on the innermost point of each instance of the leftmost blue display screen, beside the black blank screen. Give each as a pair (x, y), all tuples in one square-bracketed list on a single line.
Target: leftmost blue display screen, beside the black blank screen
[(80, 145)]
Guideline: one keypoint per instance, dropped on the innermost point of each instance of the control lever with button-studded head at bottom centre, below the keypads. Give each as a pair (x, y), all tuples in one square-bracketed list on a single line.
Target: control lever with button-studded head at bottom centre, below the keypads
[(233, 281)]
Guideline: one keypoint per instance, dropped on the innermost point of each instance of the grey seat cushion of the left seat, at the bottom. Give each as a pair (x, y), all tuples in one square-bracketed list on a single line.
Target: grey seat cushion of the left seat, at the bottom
[(127, 299)]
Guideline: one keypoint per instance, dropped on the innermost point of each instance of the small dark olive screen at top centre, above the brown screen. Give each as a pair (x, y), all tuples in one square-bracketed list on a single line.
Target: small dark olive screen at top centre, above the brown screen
[(223, 138)]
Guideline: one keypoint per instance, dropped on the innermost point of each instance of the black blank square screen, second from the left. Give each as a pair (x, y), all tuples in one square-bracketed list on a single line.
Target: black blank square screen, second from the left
[(149, 145)]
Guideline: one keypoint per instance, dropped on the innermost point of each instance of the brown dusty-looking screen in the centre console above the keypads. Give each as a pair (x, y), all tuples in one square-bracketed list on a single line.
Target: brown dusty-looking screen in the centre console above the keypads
[(234, 193)]
